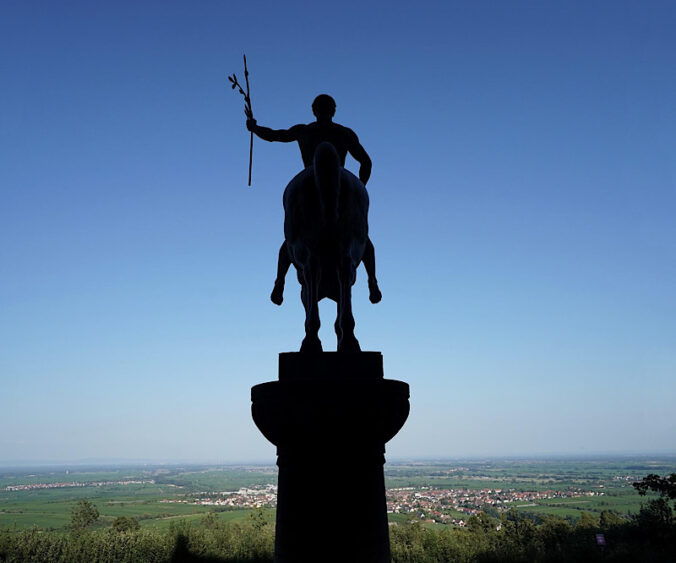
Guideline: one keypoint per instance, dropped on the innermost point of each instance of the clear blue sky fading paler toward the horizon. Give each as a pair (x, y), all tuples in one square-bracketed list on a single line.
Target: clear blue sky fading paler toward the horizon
[(522, 209)]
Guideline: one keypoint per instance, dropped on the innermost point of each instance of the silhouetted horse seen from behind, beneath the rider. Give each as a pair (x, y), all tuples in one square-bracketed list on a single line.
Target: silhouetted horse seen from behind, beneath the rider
[(326, 229)]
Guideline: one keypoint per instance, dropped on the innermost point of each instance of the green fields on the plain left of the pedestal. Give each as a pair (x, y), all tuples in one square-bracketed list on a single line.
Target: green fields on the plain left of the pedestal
[(50, 509)]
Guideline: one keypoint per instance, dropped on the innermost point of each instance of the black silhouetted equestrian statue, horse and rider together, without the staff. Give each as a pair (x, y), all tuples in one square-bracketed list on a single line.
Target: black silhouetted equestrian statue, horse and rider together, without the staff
[(326, 223)]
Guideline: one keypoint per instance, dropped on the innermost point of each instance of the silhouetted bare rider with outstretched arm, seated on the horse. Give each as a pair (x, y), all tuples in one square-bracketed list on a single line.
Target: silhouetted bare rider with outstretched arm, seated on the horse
[(308, 138)]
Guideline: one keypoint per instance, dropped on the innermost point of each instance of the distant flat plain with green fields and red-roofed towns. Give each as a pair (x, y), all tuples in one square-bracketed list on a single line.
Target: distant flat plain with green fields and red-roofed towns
[(435, 492)]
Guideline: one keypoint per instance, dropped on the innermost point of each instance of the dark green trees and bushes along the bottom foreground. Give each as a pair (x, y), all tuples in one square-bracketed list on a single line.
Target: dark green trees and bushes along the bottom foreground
[(512, 536)]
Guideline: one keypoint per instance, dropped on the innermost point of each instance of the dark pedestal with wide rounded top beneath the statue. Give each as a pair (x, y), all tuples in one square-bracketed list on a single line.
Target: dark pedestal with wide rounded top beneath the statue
[(330, 416)]
